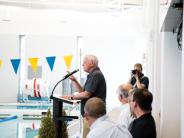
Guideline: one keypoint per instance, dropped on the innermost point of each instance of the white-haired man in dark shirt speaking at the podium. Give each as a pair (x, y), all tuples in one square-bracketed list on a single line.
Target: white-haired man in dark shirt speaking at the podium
[(95, 85)]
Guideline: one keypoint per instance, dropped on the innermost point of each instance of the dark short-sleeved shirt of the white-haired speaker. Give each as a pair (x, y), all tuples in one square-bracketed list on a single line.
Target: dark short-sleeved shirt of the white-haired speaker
[(96, 85)]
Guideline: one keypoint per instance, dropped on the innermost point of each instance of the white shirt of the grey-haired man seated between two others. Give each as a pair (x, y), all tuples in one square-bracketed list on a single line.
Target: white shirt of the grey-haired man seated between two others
[(125, 117)]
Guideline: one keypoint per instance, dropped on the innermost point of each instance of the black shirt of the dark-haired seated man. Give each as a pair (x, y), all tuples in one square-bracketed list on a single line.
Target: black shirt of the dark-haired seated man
[(143, 127)]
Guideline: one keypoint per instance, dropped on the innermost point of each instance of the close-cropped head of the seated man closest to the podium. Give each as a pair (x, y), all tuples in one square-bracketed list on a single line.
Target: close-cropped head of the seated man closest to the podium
[(95, 107)]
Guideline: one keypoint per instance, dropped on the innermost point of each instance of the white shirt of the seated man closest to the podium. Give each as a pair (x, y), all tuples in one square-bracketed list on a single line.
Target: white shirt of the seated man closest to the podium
[(103, 127)]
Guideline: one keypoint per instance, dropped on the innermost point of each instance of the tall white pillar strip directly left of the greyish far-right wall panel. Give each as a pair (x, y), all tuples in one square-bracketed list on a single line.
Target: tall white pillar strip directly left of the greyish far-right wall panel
[(152, 13)]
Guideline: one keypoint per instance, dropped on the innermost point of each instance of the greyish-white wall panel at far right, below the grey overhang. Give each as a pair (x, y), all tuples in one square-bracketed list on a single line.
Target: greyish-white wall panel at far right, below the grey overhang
[(170, 87)]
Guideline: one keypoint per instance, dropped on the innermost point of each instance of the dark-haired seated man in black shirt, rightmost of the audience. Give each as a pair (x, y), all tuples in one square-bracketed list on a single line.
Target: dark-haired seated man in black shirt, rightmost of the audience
[(140, 105)]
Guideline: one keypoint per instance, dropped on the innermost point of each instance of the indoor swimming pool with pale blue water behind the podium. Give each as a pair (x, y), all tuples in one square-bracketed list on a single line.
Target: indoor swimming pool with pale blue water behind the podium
[(28, 119)]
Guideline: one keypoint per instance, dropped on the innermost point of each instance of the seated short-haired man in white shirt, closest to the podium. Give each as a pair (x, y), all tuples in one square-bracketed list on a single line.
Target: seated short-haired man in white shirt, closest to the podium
[(100, 125)]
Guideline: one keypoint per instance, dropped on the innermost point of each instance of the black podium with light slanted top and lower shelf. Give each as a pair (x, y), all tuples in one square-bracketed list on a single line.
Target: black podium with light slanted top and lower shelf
[(57, 114)]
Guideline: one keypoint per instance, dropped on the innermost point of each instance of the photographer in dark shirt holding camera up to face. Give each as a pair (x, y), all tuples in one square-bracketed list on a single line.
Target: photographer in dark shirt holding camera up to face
[(137, 79)]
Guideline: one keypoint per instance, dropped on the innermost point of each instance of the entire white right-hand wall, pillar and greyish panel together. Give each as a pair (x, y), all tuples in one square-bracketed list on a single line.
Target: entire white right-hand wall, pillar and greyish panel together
[(165, 71)]
